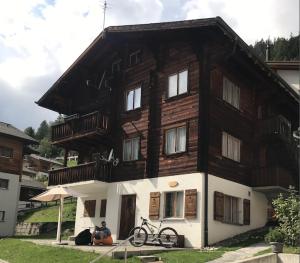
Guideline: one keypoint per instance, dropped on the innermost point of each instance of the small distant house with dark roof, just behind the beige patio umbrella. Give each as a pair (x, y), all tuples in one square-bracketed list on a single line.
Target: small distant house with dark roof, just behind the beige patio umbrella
[(29, 188)]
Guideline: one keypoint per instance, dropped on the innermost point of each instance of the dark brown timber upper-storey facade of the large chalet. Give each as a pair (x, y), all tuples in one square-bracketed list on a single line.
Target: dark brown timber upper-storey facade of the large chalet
[(208, 55)]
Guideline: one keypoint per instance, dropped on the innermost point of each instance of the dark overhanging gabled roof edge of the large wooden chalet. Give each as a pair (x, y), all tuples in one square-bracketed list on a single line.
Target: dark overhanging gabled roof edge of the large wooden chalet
[(215, 22)]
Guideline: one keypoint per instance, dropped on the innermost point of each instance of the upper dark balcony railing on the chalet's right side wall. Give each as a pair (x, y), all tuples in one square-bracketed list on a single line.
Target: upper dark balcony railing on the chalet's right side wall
[(276, 126)]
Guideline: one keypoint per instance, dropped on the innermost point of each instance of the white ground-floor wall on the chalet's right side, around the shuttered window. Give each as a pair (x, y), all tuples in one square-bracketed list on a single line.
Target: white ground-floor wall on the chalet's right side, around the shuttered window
[(258, 209)]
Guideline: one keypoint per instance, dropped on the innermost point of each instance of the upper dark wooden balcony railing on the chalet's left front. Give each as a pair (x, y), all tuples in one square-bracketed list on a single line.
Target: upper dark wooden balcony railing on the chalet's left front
[(78, 125)]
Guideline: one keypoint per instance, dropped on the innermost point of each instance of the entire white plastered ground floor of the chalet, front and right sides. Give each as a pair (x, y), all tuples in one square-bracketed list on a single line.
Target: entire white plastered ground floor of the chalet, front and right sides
[(172, 191)]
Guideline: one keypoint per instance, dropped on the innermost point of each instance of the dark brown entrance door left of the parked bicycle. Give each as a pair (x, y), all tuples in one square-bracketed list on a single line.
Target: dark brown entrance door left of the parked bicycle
[(127, 219)]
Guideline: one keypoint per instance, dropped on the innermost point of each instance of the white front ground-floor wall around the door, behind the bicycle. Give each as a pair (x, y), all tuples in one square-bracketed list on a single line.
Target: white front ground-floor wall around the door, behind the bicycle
[(191, 228)]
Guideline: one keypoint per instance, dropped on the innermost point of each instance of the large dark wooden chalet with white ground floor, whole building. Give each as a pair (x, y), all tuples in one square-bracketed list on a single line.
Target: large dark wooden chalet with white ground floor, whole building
[(201, 127)]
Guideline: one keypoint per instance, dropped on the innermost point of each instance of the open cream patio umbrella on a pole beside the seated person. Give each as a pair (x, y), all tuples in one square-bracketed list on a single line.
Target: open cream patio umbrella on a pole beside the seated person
[(57, 193)]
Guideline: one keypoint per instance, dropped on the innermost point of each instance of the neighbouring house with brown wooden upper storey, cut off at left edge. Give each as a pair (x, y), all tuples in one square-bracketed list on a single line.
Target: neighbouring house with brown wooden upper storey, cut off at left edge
[(13, 144)]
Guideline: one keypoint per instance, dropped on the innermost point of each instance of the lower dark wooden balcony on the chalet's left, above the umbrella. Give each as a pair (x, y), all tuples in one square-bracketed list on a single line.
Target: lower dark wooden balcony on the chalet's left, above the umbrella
[(80, 173)]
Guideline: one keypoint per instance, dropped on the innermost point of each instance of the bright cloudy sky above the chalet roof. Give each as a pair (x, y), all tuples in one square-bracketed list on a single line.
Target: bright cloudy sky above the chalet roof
[(41, 38)]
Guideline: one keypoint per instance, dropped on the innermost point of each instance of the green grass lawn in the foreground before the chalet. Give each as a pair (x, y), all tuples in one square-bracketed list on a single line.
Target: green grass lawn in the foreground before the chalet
[(18, 251)]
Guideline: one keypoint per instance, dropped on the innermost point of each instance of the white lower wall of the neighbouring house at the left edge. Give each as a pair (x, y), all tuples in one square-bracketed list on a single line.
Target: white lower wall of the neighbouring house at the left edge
[(9, 203)]
